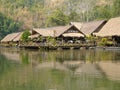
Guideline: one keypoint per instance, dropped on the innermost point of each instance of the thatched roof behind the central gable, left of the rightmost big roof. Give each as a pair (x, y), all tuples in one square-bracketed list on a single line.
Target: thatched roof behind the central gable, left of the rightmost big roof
[(89, 27)]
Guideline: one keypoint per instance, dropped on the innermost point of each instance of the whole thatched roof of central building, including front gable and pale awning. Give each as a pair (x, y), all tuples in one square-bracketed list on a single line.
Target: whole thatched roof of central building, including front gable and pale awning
[(58, 31)]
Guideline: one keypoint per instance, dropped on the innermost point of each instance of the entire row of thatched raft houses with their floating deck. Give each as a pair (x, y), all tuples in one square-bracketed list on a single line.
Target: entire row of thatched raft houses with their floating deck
[(72, 36)]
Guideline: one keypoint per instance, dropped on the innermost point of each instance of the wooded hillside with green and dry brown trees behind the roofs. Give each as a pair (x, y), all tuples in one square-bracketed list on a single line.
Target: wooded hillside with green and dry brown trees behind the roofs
[(17, 15)]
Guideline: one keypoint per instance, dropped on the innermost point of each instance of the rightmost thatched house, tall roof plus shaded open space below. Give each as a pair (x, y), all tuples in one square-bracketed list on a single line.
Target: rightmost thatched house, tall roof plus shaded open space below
[(111, 32)]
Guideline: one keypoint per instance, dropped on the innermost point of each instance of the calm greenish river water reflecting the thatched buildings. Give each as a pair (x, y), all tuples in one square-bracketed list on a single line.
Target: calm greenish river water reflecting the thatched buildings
[(92, 69)]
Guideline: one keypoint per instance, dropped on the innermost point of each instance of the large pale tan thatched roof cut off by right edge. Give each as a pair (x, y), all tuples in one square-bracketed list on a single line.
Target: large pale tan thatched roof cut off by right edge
[(111, 28)]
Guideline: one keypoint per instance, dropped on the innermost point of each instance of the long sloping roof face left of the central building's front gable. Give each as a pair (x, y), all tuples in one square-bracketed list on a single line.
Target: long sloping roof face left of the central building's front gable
[(53, 31)]
